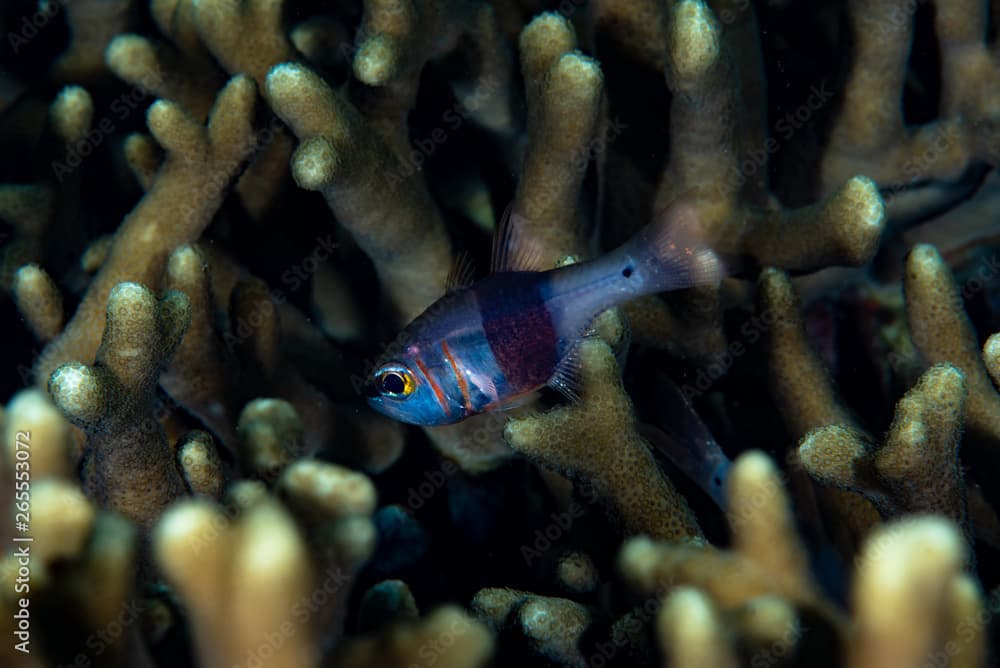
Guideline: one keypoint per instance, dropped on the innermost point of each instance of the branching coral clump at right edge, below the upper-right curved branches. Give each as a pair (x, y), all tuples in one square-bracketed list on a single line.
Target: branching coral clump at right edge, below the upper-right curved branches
[(917, 468)]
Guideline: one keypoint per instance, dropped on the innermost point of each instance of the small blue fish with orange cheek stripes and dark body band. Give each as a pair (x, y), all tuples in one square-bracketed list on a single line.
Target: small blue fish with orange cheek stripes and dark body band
[(490, 345)]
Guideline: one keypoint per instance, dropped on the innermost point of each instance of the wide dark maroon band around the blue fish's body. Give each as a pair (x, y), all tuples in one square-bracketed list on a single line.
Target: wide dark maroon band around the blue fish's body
[(518, 327)]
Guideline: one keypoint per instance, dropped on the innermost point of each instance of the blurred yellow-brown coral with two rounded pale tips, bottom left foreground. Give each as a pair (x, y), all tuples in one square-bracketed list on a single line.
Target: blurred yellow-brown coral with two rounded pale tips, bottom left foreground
[(246, 584)]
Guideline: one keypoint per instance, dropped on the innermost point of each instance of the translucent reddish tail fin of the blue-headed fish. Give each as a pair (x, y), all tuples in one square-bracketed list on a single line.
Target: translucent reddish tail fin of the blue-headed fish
[(670, 253)]
